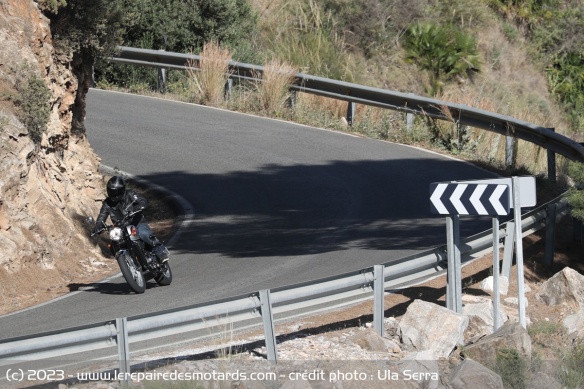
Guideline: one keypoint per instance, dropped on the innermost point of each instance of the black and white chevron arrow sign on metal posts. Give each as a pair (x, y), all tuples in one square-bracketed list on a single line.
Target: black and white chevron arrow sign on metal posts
[(470, 199)]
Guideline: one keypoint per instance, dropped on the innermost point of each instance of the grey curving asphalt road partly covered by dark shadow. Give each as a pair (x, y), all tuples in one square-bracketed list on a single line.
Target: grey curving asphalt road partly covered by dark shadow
[(275, 203)]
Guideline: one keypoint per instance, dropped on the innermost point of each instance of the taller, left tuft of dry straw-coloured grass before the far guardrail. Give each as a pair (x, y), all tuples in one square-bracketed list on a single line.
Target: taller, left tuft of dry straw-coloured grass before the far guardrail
[(208, 79)]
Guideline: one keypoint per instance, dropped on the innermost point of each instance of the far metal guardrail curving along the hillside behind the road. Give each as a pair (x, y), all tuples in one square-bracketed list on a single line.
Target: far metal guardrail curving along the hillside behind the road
[(354, 93)]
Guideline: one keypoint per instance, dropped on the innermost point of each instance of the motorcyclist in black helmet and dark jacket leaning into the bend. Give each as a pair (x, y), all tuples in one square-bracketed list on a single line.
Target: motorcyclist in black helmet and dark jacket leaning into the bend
[(119, 203)]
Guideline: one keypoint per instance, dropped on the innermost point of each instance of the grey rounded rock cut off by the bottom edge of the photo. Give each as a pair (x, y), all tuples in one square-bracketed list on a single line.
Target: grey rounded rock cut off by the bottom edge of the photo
[(471, 374)]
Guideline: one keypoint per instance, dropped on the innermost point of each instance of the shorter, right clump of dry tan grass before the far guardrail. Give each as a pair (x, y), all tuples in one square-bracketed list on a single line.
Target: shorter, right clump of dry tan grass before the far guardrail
[(273, 89)]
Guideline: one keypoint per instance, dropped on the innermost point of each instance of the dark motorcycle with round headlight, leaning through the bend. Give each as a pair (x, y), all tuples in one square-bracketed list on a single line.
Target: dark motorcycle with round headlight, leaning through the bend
[(136, 262)]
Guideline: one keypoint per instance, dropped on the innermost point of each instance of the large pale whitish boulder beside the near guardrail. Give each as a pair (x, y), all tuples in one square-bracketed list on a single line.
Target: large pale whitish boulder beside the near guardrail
[(427, 326)]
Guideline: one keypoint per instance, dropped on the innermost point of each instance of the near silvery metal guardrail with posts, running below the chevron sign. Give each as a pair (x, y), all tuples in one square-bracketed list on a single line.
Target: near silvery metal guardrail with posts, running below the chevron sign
[(249, 311)]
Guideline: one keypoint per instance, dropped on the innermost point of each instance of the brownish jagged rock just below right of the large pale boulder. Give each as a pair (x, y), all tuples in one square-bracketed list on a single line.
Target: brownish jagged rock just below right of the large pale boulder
[(510, 336)]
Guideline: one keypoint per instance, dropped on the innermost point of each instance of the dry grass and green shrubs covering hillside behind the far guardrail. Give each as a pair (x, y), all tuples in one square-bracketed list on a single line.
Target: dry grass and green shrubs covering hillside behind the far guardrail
[(522, 58)]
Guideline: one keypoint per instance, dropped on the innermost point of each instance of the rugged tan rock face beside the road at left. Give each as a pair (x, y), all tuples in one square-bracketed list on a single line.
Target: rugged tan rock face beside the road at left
[(46, 187)]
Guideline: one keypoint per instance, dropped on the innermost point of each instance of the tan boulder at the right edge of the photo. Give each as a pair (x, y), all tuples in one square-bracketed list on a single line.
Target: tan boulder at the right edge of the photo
[(565, 287)]
